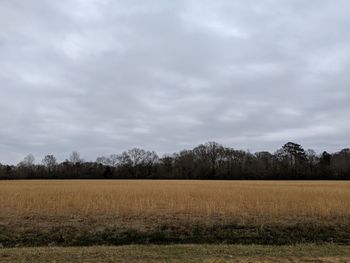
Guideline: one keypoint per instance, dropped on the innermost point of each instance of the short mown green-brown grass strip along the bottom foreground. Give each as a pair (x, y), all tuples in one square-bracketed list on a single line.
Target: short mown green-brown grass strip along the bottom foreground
[(180, 253)]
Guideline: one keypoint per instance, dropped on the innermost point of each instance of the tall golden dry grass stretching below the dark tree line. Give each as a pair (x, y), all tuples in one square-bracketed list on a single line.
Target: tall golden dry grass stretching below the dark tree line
[(233, 199)]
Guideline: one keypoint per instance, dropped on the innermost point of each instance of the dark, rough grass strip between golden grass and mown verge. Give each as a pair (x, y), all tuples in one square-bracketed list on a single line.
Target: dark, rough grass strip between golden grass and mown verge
[(27, 233)]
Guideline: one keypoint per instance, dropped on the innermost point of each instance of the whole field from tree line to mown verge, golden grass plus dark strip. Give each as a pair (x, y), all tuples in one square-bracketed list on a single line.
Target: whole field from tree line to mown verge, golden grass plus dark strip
[(77, 213)]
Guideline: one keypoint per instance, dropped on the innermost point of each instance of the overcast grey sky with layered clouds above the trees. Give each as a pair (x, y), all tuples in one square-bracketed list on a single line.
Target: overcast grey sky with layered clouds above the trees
[(104, 76)]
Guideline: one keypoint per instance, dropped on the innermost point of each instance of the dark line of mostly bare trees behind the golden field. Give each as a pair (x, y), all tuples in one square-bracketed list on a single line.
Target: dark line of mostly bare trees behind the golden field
[(207, 161)]
